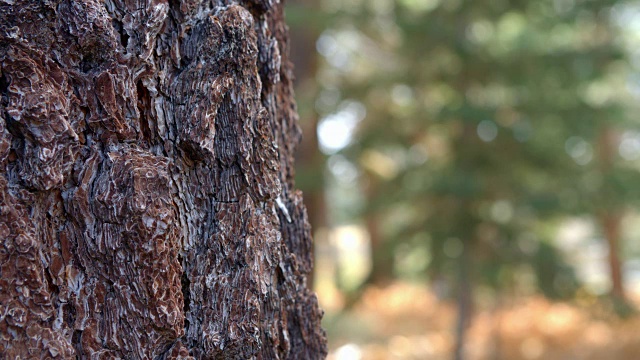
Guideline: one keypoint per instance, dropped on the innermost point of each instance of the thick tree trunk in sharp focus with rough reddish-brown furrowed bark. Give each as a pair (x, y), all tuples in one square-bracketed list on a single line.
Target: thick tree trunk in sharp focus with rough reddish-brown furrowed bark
[(147, 208)]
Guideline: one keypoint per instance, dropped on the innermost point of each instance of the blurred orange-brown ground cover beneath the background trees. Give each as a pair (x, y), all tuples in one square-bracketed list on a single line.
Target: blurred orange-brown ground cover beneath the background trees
[(405, 321)]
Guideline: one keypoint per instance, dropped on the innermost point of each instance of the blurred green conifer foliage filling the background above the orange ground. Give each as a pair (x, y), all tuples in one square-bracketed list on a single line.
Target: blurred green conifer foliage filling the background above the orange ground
[(484, 120)]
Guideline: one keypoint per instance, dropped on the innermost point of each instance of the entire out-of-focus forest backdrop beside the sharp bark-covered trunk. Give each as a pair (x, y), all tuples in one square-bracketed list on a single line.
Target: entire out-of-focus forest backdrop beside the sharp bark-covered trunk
[(472, 175)]
